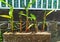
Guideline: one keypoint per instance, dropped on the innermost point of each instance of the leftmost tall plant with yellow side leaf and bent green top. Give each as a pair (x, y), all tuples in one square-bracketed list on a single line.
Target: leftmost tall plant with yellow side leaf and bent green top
[(10, 16)]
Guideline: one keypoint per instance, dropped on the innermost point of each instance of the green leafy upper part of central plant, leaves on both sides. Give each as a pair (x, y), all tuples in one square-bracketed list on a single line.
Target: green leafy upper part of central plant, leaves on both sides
[(26, 8)]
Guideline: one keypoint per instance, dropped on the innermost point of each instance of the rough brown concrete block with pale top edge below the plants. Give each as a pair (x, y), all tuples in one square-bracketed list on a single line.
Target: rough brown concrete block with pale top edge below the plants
[(27, 37)]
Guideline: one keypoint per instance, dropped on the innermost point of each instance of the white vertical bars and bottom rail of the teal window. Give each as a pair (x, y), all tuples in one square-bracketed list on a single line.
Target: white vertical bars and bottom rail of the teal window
[(41, 7)]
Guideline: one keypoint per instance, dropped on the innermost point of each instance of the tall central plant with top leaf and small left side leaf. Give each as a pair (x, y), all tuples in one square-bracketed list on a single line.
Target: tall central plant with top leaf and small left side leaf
[(26, 15)]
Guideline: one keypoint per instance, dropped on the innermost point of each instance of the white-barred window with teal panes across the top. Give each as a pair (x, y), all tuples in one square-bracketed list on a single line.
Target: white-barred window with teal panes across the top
[(38, 5)]
